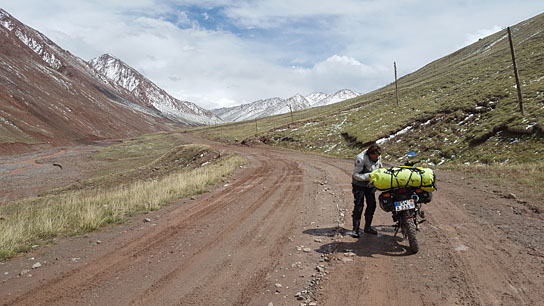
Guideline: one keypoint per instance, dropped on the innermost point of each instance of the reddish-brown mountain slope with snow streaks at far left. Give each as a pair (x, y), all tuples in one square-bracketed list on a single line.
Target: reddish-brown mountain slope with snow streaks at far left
[(48, 95)]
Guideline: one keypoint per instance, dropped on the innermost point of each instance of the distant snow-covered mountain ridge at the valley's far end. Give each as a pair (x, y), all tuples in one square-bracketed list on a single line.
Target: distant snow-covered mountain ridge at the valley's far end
[(275, 106)]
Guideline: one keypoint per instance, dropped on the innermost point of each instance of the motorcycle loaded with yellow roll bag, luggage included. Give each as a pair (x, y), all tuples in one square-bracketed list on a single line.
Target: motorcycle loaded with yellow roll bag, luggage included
[(408, 188)]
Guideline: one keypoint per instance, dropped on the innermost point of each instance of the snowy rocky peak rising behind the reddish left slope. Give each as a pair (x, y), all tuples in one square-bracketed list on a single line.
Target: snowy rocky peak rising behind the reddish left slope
[(120, 74)]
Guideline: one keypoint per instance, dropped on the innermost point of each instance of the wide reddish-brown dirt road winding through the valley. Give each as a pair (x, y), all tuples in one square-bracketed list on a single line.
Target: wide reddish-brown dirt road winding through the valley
[(273, 235)]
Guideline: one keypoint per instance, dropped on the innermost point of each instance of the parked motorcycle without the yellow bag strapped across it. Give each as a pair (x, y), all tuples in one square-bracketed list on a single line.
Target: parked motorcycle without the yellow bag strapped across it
[(405, 203)]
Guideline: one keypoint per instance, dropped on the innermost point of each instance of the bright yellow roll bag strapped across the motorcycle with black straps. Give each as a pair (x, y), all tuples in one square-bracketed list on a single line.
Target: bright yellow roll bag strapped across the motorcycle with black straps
[(388, 178)]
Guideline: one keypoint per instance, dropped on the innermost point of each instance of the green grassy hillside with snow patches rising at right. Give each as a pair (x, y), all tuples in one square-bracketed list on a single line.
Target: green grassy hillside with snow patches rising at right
[(462, 108)]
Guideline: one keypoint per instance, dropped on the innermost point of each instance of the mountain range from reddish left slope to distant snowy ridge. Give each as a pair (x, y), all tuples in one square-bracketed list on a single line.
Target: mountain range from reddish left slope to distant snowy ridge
[(48, 95)]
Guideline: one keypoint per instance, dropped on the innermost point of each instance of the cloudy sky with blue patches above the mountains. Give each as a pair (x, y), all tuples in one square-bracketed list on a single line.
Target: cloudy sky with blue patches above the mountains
[(221, 53)]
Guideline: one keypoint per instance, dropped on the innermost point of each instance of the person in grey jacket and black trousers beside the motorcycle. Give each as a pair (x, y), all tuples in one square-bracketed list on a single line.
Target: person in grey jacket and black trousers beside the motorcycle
[(365, 162)]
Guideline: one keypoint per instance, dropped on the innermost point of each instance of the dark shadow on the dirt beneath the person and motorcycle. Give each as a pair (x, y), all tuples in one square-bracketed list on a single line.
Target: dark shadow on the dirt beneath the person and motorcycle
[(385, 243)]
